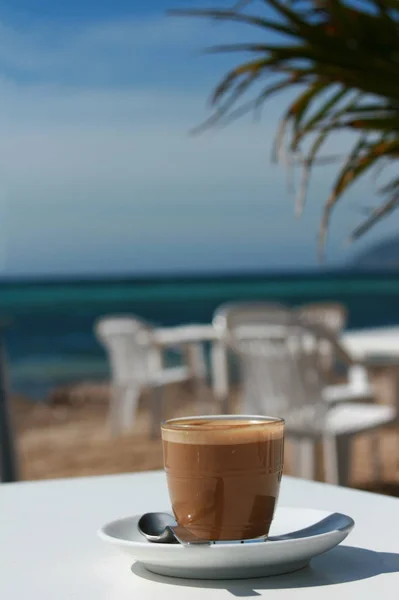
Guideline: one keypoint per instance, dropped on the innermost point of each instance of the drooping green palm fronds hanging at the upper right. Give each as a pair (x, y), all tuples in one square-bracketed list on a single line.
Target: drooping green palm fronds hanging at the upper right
[(344, 58)]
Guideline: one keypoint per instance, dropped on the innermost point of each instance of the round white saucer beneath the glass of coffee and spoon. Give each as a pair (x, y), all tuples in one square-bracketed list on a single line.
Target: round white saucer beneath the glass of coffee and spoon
[(230, 561)]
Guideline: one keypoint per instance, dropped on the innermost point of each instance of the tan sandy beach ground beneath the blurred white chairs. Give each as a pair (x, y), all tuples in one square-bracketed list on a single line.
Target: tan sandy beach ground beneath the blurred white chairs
[(68, 437)]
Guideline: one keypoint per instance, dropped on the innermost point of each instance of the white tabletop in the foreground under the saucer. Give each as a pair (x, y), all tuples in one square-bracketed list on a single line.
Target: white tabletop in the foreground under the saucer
[(49, 549)]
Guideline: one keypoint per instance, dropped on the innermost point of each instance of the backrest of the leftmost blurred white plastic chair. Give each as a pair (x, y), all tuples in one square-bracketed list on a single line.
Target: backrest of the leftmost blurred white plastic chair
[(128, 342)]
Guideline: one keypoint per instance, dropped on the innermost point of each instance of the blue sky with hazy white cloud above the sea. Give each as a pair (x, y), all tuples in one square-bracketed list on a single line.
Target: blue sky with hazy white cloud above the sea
[(98, 172)]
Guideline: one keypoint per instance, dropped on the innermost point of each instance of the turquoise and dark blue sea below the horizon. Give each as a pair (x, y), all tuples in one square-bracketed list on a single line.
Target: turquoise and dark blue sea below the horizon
[(49, 333)]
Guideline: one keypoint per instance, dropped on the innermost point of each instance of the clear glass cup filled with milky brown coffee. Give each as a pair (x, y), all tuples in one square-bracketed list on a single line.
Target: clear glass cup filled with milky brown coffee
[(223, 474)]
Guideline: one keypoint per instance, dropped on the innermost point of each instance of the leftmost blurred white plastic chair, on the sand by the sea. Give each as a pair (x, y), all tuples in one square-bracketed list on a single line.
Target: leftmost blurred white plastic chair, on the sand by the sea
[(136, 365)]
